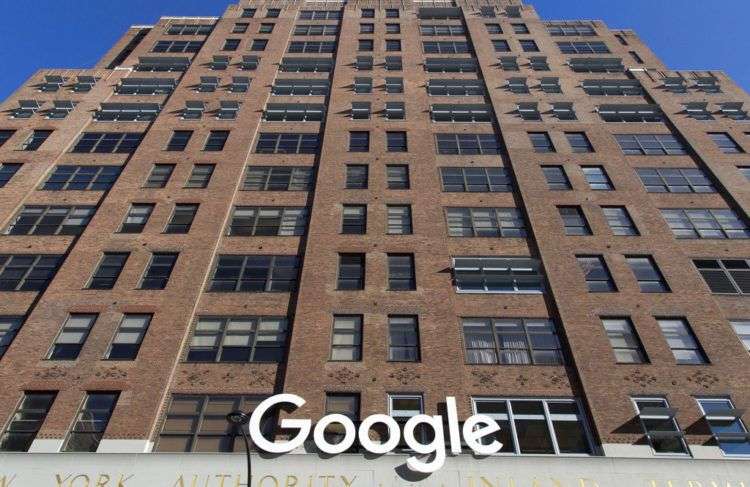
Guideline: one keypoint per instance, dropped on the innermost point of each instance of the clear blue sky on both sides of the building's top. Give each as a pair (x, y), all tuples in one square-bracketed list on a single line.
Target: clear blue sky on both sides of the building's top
[(686, 34)]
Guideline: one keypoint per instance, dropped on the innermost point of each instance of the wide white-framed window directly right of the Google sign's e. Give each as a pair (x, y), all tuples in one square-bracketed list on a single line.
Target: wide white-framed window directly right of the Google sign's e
[(537, 426)]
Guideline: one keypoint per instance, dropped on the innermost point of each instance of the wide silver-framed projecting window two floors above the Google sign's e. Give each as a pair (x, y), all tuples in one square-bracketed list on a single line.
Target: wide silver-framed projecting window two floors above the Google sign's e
[(517, 275)]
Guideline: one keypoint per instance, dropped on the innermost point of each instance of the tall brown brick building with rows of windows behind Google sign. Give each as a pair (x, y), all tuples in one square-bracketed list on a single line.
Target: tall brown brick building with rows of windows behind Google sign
[(375, 206)]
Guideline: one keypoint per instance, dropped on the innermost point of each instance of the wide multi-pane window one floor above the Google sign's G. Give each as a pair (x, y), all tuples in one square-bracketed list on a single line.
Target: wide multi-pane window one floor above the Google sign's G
[(238, 339)]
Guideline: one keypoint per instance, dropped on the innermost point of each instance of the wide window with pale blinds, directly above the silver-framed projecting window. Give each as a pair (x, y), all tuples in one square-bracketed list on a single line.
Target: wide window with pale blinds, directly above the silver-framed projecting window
[(485, 222)]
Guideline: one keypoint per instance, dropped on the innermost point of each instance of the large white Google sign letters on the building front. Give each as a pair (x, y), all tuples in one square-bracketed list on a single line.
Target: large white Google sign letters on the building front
[(474, 429)]
